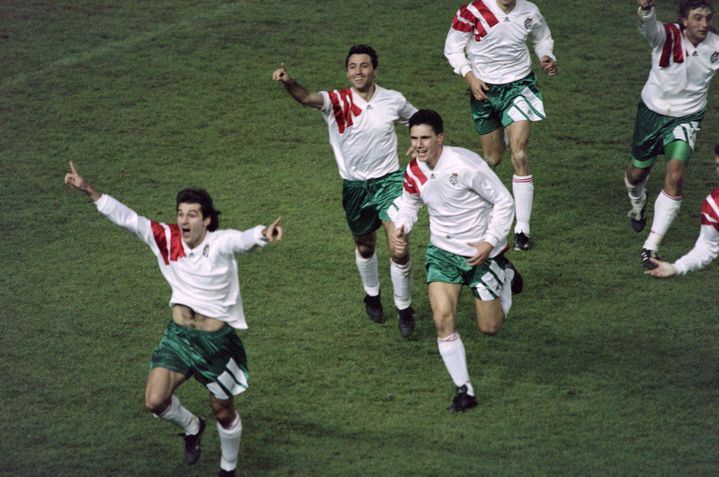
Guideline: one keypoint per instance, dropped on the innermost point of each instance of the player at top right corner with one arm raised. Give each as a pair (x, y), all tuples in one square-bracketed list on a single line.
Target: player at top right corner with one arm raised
[(685, 57)]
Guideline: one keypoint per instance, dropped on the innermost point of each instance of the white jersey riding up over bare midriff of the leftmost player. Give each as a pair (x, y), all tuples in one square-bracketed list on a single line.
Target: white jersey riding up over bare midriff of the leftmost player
[(203, 278)]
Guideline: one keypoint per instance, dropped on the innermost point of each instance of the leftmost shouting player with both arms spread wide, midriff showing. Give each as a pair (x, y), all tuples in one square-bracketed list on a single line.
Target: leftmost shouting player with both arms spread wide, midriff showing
[(198, 262)]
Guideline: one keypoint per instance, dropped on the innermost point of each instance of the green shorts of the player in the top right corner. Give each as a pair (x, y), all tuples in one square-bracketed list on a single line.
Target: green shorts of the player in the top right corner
[(655, 134)]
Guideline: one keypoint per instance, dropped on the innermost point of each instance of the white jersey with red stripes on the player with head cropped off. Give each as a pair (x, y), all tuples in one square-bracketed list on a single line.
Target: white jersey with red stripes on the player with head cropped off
[(493, 44)]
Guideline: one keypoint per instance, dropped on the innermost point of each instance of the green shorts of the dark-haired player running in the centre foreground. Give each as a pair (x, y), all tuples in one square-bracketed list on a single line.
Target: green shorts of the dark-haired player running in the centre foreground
[(485, 280)]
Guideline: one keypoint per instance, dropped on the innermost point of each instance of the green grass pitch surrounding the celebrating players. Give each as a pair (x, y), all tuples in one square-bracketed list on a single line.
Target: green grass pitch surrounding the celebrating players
[(600, 370)]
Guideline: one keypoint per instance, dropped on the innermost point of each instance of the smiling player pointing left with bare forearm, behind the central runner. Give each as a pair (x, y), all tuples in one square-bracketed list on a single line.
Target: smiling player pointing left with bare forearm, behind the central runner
[(361, 119)]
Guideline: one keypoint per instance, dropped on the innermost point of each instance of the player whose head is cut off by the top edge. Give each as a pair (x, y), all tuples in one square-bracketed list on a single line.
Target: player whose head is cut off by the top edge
[(487, 46)]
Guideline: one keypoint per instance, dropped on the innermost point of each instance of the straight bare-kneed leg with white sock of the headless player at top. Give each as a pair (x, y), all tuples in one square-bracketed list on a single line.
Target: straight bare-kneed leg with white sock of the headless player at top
[(522, 182)]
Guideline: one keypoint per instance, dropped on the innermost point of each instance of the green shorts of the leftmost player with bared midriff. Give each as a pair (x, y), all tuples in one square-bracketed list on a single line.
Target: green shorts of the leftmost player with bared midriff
[(216, 359)]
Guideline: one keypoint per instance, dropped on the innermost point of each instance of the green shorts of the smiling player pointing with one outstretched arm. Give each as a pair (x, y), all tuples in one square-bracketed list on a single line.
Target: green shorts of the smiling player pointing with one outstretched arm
[(366, 202)]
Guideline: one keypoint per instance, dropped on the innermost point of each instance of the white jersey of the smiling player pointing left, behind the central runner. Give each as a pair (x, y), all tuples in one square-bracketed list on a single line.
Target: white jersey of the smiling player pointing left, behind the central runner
[(362, 133)]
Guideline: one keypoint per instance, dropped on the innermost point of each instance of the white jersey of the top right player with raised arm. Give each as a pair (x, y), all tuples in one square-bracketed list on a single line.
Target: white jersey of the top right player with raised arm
[(678, 82)]
